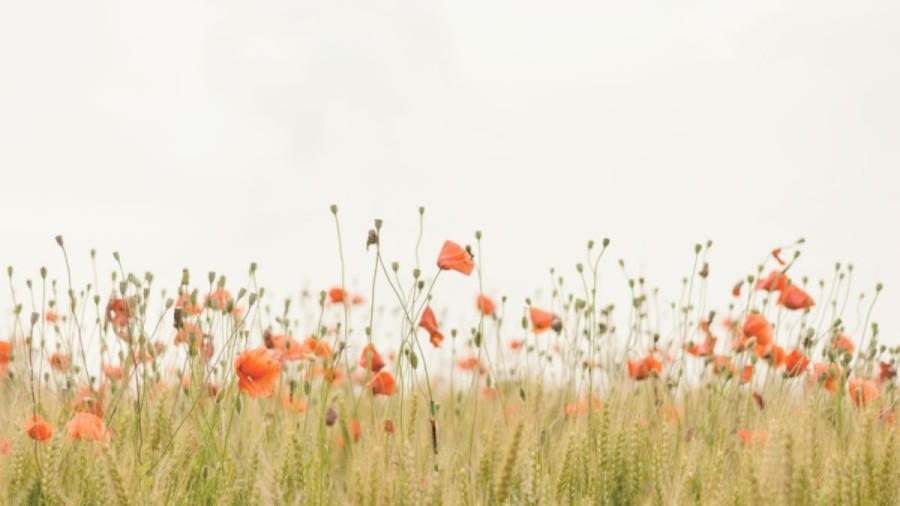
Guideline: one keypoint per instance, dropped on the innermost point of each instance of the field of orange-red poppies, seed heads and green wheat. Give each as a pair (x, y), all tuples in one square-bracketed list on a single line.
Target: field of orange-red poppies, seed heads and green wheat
[(121, 391)]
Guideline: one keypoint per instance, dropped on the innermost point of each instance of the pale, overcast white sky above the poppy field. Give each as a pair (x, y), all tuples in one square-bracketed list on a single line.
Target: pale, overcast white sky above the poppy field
[(211, 134)]
